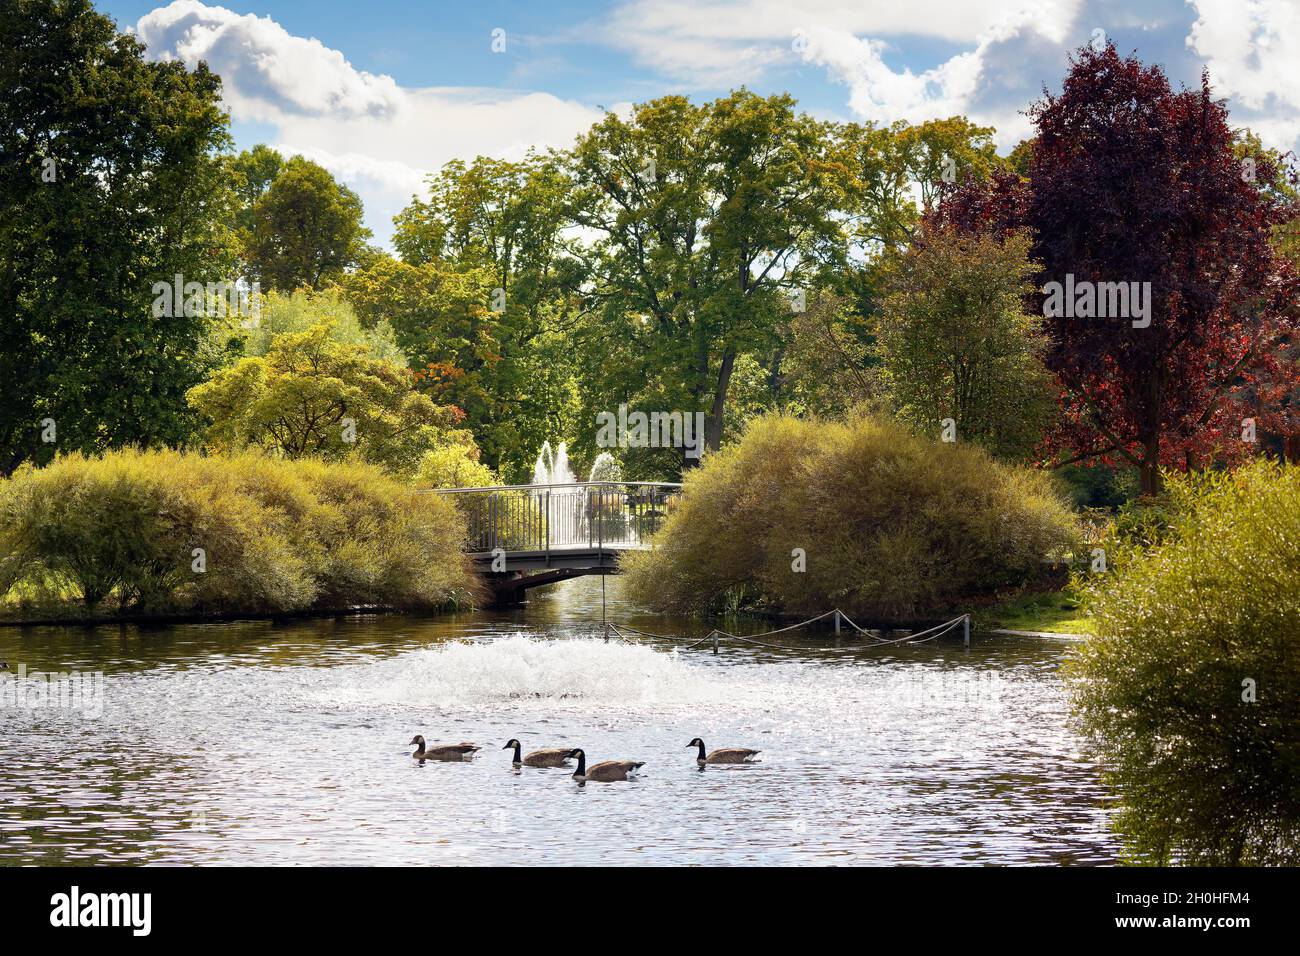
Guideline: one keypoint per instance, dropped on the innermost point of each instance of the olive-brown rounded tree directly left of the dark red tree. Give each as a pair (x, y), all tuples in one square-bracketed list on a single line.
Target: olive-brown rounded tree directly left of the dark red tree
[(956, 343)]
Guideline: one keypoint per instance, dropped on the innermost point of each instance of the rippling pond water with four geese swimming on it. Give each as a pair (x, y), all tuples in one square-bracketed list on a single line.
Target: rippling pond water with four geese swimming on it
[(258, 743)]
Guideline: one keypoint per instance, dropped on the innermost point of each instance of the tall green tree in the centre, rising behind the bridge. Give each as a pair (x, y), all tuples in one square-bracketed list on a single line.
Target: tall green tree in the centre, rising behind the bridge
[(708, 219)]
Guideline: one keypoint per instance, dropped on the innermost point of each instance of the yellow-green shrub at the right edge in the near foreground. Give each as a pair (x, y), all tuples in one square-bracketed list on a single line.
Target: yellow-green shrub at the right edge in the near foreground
[(1191, 687)]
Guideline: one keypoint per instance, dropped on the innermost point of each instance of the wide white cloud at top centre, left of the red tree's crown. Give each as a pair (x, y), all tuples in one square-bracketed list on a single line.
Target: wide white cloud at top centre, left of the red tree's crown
[(730, 42)]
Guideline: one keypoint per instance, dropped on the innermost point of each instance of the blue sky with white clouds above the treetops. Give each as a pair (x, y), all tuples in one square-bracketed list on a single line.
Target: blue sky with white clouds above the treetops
[(383, 93)]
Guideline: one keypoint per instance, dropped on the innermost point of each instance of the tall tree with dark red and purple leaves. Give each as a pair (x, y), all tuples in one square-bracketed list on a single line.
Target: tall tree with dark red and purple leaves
[(1134, 183)]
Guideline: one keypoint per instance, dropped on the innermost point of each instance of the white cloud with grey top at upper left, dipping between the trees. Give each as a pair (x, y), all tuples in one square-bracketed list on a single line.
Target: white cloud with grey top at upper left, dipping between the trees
[(378, 137)]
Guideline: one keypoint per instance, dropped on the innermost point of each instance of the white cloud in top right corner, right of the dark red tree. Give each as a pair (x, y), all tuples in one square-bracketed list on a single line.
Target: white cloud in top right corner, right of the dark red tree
[(1253, 50)]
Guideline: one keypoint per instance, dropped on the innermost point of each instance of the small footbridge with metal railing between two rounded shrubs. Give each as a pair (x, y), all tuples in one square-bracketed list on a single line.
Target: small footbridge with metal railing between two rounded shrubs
[(525, 537)]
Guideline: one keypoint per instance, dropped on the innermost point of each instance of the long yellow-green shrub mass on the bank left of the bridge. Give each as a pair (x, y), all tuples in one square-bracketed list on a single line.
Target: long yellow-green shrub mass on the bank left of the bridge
[(276, 535)]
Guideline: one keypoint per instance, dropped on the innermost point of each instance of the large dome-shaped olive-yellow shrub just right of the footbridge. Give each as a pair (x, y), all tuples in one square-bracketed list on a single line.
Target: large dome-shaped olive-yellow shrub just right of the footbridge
[(891, 525)]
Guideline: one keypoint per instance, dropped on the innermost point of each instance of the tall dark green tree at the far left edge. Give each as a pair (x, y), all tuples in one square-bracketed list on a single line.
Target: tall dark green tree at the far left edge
[(109, 184)]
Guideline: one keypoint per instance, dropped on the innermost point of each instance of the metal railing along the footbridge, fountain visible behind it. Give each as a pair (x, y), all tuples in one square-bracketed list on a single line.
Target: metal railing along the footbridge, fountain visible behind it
[(575, 517)]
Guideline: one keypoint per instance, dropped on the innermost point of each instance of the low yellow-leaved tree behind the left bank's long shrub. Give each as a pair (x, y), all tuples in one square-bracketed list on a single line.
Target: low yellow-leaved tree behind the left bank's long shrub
[(315, 396)]
